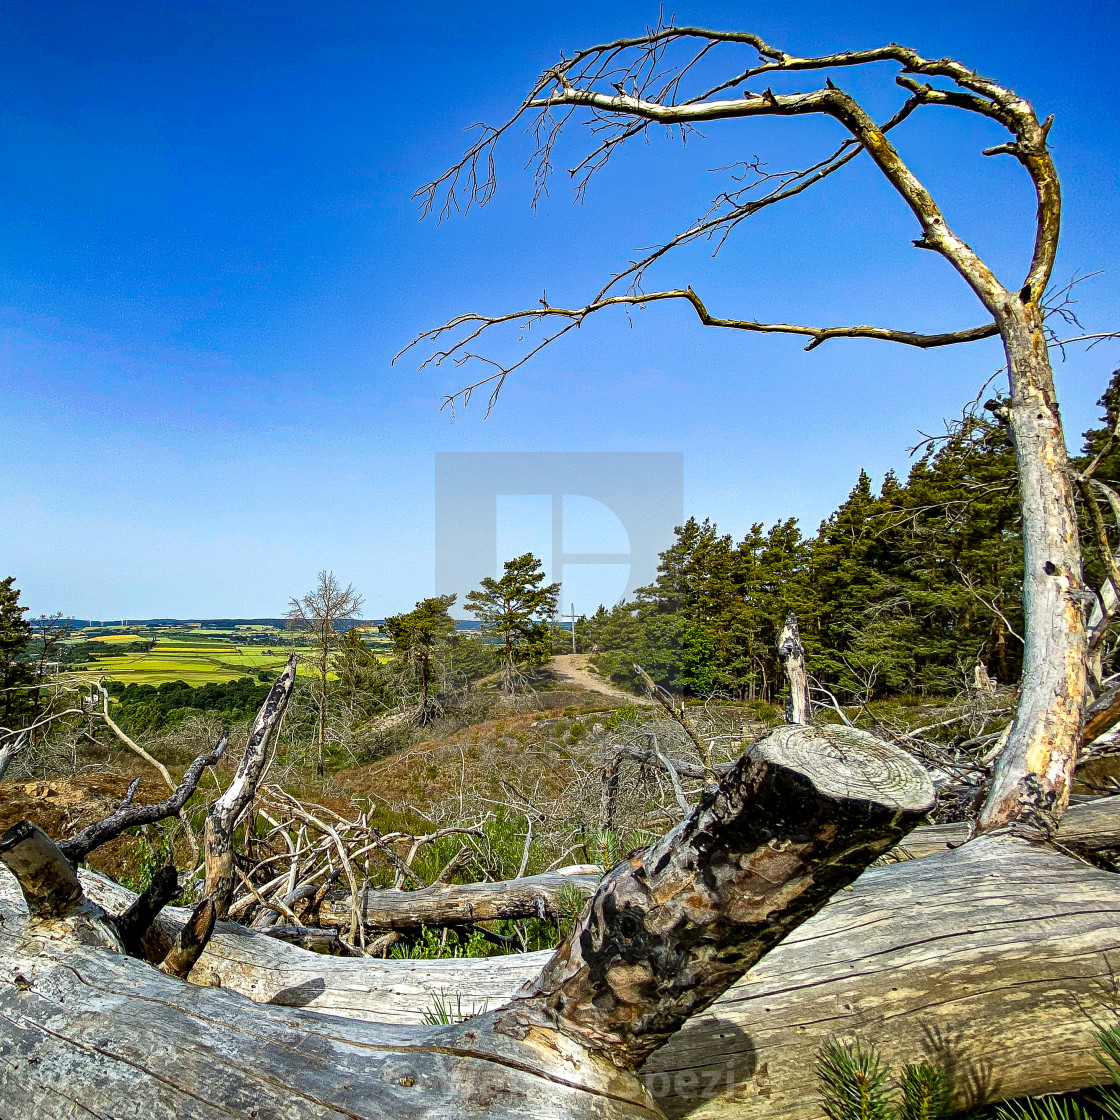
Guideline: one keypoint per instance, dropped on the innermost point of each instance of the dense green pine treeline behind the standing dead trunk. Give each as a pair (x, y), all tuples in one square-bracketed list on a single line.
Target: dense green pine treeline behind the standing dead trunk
[(902, 590)]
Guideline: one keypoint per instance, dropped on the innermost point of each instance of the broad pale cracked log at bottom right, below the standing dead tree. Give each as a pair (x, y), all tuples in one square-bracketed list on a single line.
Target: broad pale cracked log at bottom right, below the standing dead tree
[(986, 962)]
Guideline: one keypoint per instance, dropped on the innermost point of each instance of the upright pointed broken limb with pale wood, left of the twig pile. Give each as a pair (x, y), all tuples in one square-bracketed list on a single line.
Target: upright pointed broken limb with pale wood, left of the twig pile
[(223, 816)]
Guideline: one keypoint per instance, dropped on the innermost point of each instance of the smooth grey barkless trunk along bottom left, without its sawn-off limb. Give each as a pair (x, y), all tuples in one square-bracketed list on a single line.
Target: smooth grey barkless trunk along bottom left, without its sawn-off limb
[(90, 1033)]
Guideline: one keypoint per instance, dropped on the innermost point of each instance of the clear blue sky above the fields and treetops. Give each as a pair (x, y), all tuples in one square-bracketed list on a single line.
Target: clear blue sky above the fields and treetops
[(210, 257)]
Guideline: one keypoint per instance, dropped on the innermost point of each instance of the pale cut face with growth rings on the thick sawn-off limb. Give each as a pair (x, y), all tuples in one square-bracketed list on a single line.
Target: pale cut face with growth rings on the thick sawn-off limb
[(846, 764)]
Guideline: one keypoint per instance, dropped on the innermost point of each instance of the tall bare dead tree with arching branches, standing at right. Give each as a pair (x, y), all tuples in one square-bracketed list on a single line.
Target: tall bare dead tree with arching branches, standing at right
[(624, 88)]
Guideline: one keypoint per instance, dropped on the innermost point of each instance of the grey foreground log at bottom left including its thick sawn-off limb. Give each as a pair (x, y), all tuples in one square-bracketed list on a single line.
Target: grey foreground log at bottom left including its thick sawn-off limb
[(800, 816)]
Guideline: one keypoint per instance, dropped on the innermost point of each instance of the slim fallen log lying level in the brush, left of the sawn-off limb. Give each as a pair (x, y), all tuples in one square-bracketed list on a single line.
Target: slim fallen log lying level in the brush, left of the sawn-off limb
[(462, 904)]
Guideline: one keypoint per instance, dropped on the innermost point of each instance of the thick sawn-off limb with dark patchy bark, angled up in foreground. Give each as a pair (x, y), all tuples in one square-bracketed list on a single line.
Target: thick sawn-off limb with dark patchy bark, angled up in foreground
[(801, 815)]
